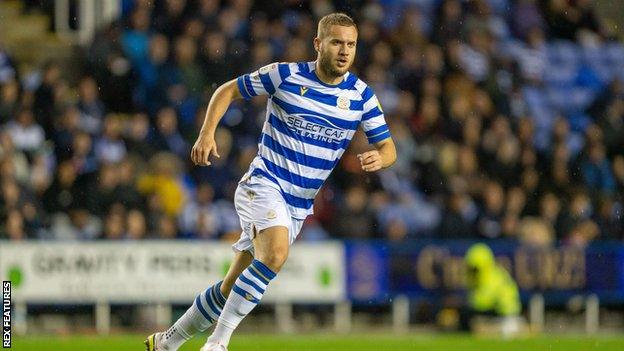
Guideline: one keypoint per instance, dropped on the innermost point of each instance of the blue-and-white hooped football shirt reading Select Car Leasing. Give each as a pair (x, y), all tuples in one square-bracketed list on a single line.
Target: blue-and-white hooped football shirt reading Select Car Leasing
[(308, 127)]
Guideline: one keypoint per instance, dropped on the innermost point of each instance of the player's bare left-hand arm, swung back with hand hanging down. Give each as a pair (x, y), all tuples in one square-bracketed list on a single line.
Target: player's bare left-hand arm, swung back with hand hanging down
[(205, 145)]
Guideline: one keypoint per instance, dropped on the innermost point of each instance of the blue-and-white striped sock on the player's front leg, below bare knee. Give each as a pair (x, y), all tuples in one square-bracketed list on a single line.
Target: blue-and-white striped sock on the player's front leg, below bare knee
[(246, 293)]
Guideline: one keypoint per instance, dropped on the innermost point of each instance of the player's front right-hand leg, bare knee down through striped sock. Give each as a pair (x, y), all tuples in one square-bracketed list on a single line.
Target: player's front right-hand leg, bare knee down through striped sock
[(271, 249)]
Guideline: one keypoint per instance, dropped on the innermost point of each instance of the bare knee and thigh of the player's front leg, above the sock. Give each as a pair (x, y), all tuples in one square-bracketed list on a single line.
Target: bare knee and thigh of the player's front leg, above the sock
[(271, 246)]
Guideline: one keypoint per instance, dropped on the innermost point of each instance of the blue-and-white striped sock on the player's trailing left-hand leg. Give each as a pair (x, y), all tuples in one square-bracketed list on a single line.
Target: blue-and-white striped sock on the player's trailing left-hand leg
[(200, 316)]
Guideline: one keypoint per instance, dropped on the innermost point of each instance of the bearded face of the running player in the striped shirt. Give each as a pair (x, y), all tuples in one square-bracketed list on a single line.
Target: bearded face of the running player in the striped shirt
[(337, 50)]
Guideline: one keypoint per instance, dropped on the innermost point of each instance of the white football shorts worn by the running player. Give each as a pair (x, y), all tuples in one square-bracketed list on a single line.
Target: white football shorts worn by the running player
[(260, 205)]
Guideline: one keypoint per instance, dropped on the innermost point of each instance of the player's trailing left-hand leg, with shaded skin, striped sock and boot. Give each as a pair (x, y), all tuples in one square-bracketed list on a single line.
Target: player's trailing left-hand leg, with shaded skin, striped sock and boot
[(204, 311)]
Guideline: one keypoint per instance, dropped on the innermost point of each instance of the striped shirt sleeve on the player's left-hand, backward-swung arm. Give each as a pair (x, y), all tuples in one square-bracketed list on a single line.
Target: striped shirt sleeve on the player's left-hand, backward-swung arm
[(264, 81)]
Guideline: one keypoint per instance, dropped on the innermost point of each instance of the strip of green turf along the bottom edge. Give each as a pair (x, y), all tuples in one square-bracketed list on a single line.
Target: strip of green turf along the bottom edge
[(334, 343)]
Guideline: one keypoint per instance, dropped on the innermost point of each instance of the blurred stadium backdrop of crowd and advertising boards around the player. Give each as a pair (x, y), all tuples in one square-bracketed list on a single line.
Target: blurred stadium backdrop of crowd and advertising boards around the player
[(508, 117)]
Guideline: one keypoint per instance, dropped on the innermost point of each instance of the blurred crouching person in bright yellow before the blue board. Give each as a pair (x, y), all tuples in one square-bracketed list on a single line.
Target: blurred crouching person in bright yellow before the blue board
[(491, 290)]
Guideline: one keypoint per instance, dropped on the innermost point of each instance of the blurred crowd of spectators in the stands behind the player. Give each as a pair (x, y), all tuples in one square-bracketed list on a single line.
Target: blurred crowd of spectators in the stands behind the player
[(506, 126)]
